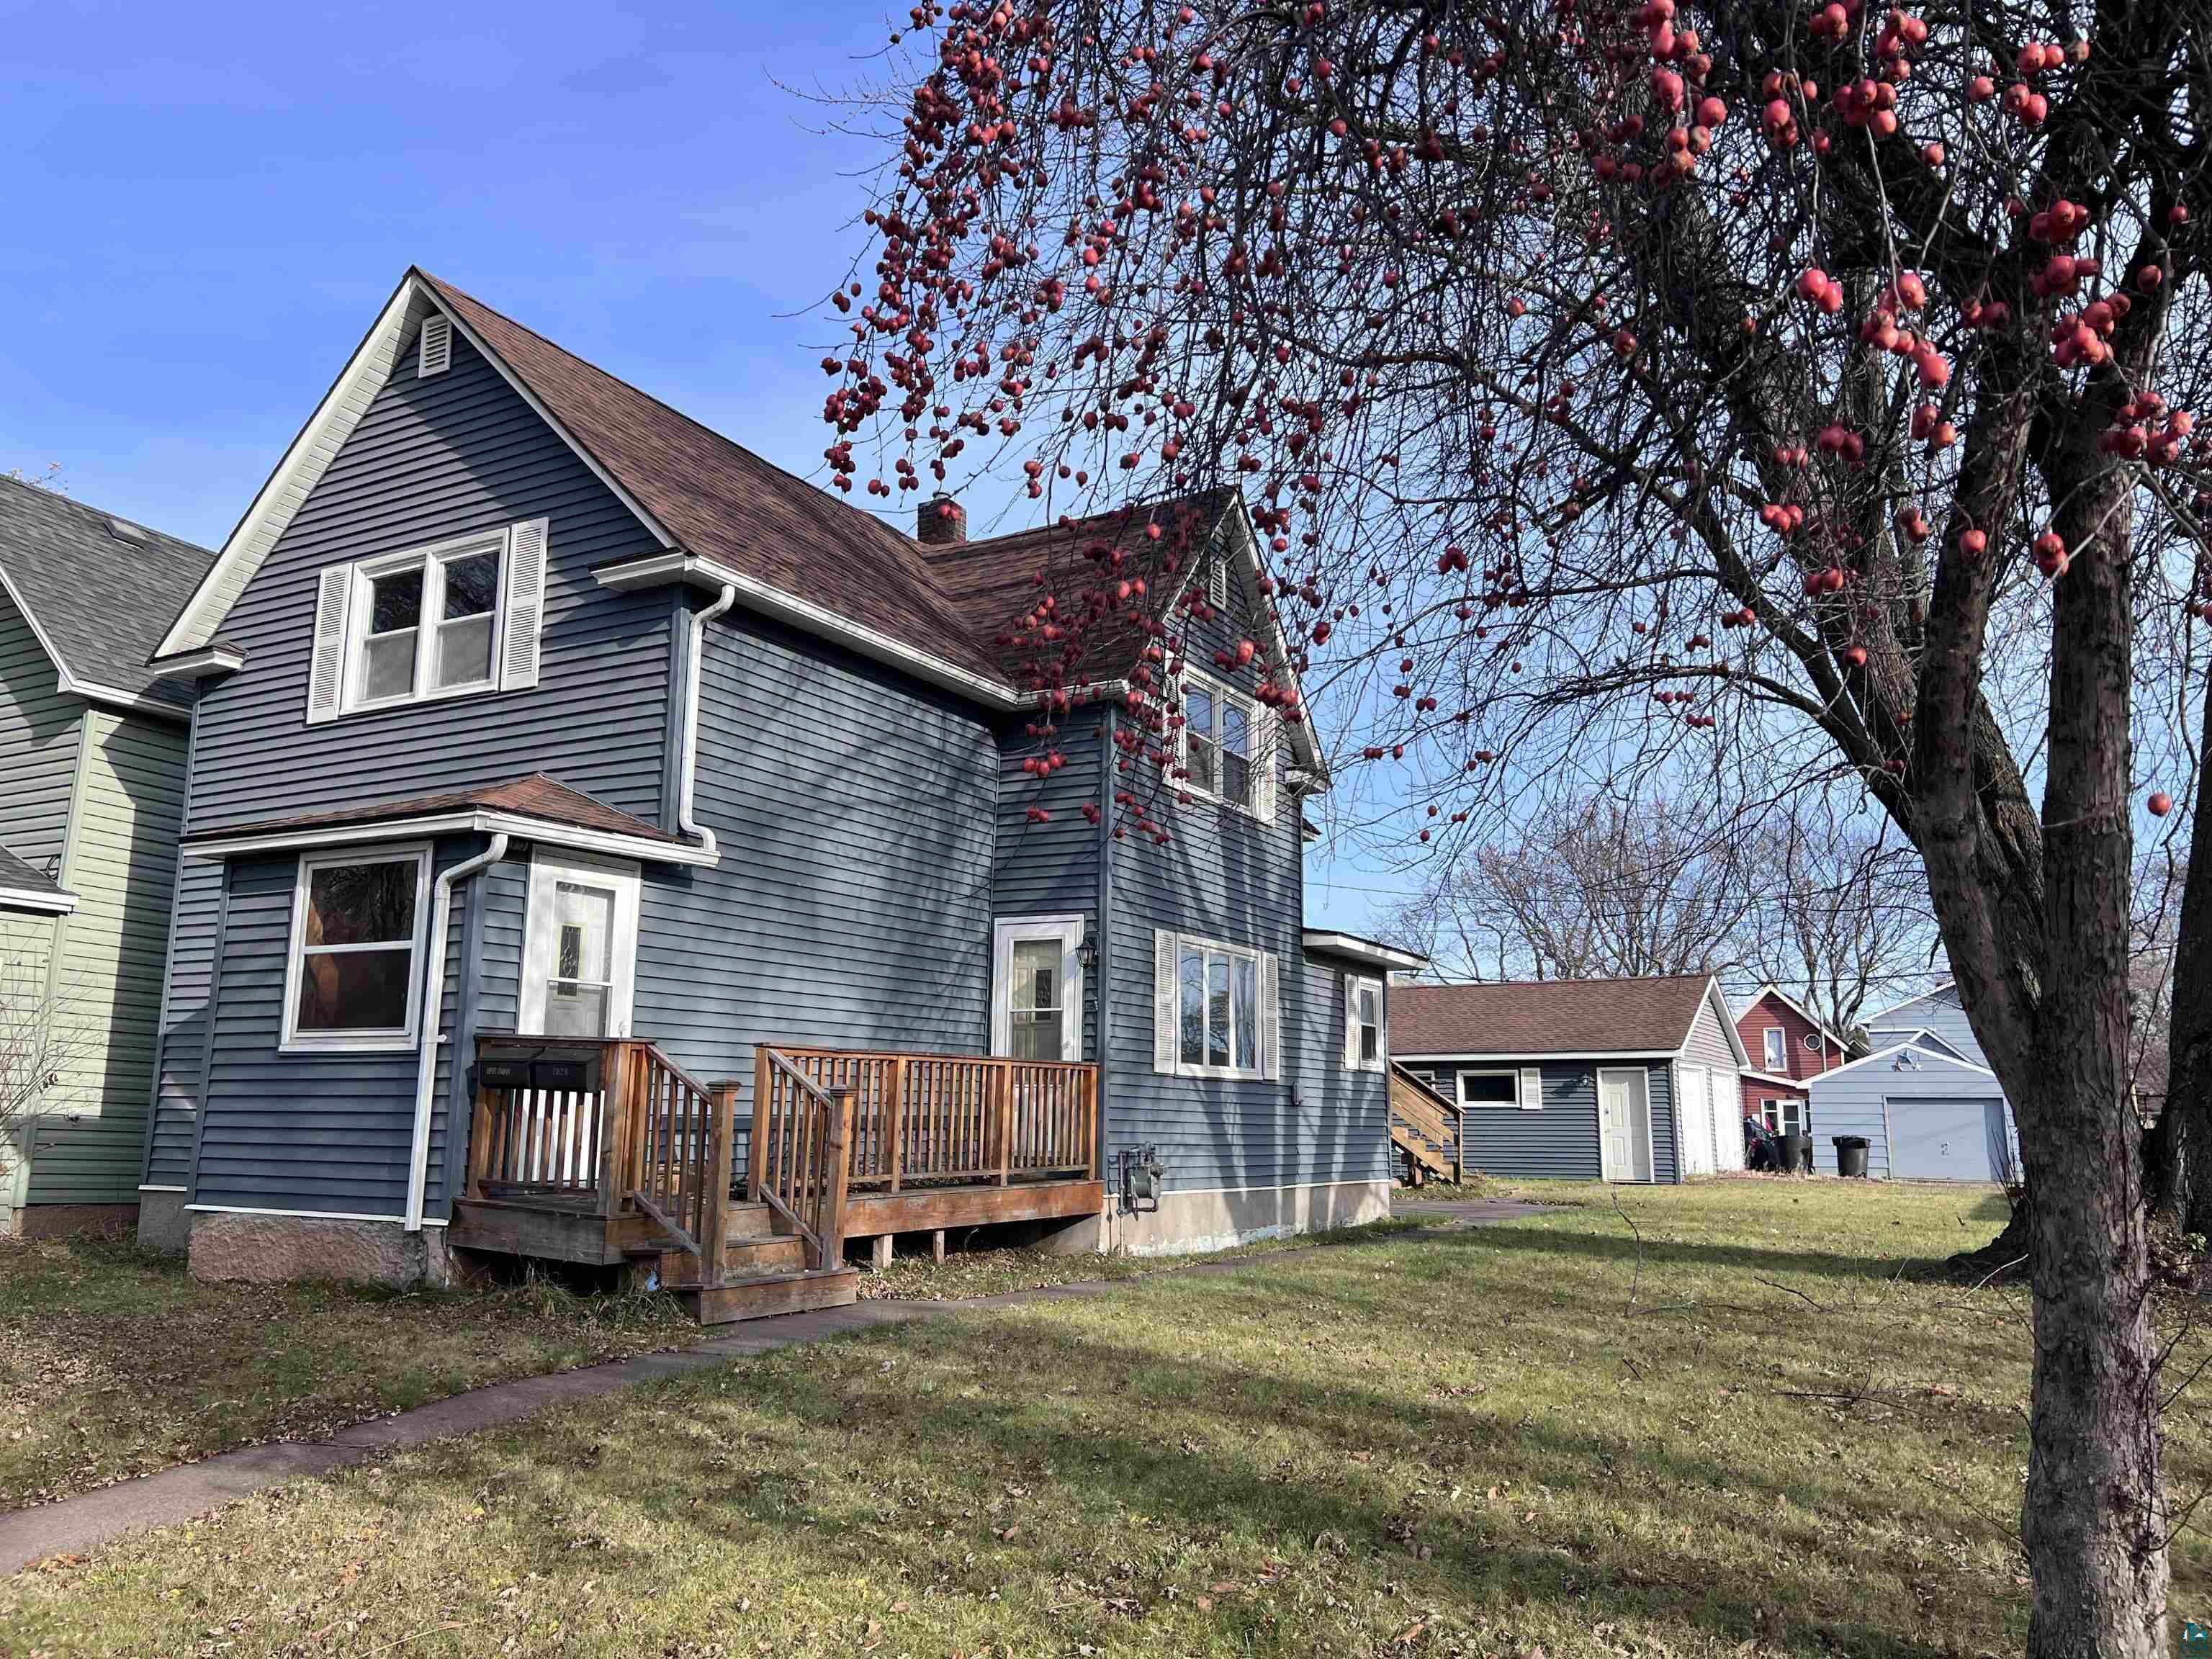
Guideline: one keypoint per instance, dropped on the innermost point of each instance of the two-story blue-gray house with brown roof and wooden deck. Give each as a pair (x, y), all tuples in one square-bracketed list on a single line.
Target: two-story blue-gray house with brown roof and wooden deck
[(603, 846)]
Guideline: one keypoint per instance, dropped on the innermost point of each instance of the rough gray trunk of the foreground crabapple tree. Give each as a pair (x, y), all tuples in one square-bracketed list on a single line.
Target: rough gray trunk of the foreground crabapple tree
[(2096, 1510)]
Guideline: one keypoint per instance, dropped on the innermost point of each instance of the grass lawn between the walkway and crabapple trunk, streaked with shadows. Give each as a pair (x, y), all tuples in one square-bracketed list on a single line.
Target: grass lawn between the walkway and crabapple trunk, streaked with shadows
[(1753, 1434)]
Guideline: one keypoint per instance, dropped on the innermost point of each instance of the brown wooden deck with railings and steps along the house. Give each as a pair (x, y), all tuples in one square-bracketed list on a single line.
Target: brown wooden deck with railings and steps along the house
[(609, 1154)]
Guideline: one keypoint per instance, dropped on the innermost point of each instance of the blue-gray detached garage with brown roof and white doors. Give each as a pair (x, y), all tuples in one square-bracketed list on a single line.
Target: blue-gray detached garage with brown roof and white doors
[(1592, 1081)]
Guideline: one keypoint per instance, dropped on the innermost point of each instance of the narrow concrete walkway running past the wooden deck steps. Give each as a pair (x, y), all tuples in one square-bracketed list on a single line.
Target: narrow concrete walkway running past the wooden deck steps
[(191, 1490)]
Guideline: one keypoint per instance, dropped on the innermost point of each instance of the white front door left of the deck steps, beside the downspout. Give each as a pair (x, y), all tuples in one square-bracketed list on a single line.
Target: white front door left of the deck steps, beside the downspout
[(578, 948)]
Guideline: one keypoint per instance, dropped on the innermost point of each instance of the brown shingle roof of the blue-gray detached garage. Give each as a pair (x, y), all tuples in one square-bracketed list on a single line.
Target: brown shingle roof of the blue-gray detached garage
[(1645, 1016)]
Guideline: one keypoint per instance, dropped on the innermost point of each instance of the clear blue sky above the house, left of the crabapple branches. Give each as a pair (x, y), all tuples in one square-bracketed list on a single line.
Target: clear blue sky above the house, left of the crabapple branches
[(207, 207)]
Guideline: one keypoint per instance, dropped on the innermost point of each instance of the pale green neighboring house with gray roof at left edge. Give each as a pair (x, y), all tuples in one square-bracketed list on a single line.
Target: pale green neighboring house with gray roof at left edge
[(94, 751)]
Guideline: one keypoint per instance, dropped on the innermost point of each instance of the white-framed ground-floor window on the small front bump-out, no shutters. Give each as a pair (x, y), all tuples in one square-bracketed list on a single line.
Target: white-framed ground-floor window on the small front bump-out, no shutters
[(357, 950)]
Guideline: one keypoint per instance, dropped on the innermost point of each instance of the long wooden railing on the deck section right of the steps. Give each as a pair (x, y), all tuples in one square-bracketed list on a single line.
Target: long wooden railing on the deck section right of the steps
[(952, 1118)]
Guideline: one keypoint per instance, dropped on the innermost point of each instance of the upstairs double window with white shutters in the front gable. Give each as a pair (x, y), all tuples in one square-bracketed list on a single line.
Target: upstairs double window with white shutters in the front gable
[(444, 620)]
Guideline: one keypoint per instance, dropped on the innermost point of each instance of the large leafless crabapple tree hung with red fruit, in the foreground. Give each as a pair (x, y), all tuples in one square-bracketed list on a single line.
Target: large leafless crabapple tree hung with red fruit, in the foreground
[(1671, 375)]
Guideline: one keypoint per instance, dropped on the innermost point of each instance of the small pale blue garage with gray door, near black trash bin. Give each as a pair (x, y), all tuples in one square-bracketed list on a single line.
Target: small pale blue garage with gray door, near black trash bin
[(1928, 1114)]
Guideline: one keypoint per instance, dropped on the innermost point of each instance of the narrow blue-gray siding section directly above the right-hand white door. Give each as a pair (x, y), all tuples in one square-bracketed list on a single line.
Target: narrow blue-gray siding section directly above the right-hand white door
[(1052, 866)]
